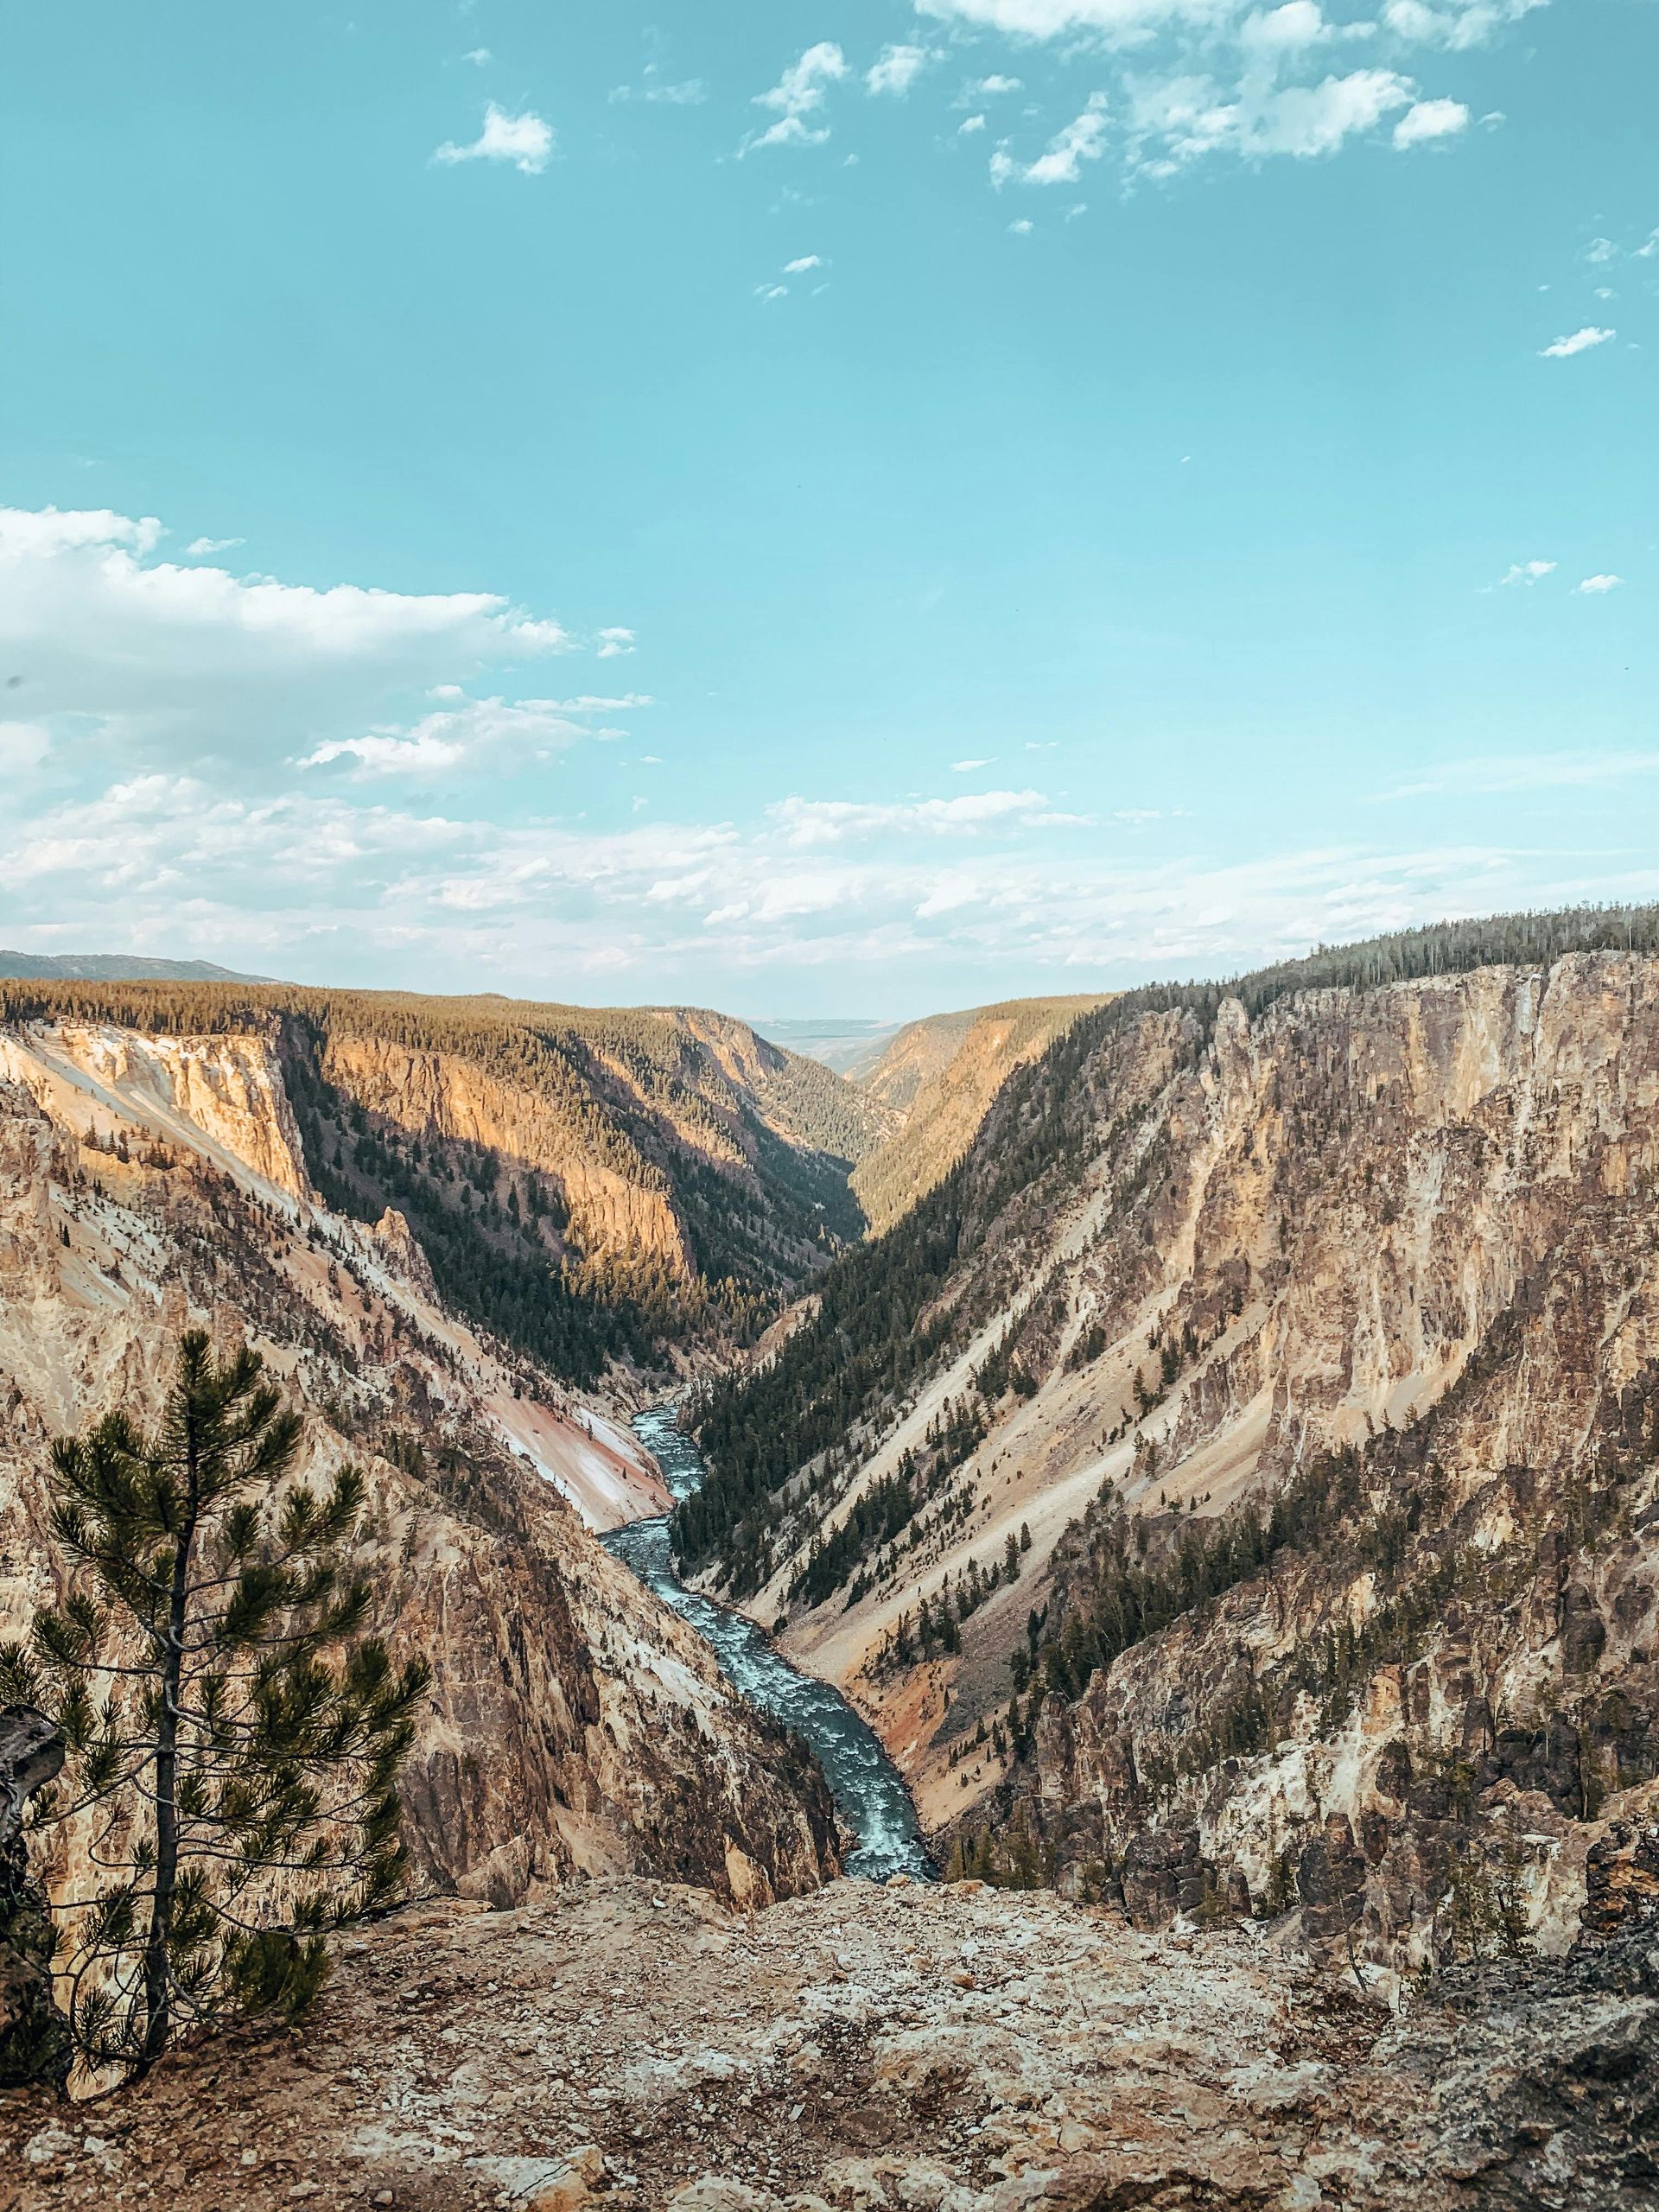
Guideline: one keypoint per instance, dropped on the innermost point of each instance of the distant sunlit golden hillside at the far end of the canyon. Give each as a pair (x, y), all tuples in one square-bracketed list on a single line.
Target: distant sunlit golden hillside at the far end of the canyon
[(941, 1076)]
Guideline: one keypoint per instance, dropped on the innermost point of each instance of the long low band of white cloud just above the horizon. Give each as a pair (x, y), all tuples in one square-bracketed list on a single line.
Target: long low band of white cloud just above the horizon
[(306, 881)]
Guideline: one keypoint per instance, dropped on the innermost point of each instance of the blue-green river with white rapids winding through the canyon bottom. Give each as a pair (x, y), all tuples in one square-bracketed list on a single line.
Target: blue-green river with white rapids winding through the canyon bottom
[(868, 1788)]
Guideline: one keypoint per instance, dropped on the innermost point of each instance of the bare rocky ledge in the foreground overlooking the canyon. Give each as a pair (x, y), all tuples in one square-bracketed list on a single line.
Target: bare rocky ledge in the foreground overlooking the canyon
[(946, 2049)]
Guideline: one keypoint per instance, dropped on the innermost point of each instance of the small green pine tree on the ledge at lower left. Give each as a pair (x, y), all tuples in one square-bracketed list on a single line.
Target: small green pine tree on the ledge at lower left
[(236, 1738)]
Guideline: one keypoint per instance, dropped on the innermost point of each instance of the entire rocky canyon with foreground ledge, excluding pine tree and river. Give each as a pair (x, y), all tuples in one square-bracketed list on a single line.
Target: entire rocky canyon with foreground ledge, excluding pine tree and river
[(1209, 1434)]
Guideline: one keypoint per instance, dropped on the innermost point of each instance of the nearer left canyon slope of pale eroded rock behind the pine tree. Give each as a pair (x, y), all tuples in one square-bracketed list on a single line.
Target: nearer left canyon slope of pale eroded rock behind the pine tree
[(574, 1724)]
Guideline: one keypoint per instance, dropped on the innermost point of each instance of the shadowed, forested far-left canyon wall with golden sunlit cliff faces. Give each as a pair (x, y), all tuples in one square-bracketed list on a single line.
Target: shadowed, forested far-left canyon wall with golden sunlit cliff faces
[(601, 1189)]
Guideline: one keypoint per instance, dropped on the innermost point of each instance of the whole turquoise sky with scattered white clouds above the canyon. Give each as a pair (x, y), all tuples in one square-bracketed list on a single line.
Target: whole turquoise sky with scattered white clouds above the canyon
[(826, 508)]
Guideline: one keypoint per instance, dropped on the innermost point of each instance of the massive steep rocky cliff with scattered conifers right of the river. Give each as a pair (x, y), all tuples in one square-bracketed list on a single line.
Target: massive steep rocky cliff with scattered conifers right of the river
[(1251, 1501)]
